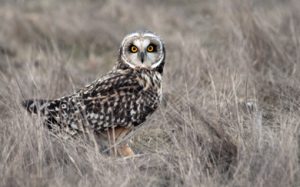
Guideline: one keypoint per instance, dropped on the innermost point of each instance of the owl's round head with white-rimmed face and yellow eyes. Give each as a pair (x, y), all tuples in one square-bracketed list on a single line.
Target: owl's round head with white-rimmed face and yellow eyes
[(142, 50)]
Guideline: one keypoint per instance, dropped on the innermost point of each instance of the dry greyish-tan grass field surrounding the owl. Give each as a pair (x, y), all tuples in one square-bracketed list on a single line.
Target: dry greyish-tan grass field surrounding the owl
[(230, 112)]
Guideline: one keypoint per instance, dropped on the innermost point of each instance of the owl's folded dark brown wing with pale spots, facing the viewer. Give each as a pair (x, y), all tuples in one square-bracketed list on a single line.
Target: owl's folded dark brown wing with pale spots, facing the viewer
[(117, 101)]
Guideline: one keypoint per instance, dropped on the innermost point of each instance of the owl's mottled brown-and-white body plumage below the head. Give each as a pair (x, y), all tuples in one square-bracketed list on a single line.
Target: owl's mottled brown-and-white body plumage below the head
[(122, 98)]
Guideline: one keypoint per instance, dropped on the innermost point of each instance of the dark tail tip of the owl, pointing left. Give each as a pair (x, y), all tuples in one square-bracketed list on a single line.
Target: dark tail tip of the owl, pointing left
[(35, 106)]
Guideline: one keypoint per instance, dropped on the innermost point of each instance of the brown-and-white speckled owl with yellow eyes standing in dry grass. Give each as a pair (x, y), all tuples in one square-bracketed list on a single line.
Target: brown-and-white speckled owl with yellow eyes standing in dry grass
[(117, 103)]
